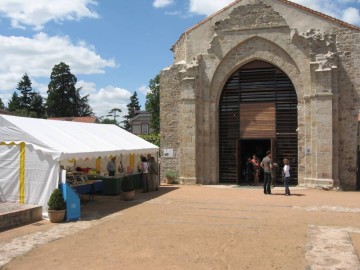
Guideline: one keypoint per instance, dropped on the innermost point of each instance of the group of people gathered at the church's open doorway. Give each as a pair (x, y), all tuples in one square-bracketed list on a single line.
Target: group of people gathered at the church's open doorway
[(252, 172)]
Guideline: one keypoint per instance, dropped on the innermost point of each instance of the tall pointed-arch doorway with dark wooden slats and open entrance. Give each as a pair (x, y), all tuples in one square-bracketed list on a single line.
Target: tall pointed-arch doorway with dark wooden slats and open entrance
[(257, 112)]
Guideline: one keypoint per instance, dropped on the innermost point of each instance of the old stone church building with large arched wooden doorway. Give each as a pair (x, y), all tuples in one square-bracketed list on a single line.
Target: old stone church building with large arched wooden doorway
[(263, 75)]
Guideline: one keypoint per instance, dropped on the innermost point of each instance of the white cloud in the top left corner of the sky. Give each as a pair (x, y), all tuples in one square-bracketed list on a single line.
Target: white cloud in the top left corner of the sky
[(24, 13)]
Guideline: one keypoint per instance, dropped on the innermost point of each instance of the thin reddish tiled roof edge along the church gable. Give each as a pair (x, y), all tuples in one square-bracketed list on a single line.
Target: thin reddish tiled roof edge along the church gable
[(322, 15)]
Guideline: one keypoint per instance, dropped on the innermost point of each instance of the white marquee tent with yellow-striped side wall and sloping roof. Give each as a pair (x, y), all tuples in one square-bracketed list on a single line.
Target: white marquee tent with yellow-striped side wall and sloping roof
[(31, 151)]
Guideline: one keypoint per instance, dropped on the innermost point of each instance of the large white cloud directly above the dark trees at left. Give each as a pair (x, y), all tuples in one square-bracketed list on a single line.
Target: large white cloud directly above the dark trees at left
[(37, 56)]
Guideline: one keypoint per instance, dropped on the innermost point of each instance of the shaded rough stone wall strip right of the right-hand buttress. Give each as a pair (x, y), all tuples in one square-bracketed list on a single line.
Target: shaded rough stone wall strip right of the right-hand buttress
[(348, 47)]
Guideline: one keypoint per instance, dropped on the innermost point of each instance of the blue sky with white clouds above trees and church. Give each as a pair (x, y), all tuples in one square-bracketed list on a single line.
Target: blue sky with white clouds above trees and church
[(113, 47)]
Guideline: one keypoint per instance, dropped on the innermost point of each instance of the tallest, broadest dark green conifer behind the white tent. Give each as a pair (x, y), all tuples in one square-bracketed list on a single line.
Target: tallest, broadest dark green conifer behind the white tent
[(63, 97)]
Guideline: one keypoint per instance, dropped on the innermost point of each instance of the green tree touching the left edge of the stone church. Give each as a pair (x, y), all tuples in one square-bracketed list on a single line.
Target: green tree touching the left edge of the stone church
[(152, 103)]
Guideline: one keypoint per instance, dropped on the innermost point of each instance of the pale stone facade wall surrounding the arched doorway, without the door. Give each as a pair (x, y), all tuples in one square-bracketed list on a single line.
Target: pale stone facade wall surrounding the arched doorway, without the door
[(323, 64)]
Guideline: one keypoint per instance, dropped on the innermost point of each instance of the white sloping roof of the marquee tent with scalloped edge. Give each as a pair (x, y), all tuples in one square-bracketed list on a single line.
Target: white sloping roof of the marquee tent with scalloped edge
[(66, 140)]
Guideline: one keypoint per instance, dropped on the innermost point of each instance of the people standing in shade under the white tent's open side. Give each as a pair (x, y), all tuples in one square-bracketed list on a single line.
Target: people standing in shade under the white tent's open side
[(147, 166)]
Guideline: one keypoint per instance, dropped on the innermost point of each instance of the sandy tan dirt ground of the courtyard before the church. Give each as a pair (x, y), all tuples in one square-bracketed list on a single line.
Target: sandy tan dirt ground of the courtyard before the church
[(200, 227)]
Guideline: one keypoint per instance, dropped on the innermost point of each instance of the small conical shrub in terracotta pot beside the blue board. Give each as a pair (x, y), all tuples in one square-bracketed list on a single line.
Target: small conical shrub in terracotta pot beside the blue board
[(56, 206)]
